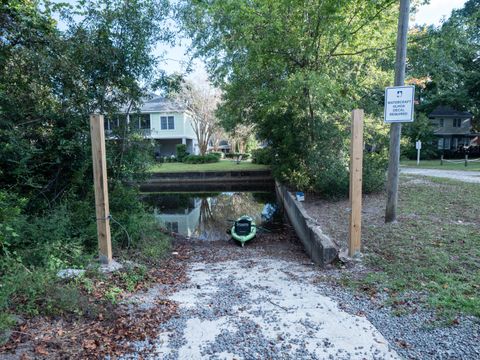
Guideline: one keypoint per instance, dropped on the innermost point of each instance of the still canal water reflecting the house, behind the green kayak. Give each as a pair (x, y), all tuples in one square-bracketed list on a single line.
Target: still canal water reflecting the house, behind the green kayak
[(208, 216)]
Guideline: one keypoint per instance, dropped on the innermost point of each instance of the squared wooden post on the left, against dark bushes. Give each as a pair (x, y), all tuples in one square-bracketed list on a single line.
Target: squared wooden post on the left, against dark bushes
[(101, 187)]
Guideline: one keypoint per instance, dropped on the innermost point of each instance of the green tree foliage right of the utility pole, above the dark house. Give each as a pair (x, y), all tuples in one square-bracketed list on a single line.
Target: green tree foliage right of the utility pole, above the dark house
[(443, 61)]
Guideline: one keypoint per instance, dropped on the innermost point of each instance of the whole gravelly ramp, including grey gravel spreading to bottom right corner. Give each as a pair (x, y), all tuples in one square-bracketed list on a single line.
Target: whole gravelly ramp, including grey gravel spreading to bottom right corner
[(268, 301)]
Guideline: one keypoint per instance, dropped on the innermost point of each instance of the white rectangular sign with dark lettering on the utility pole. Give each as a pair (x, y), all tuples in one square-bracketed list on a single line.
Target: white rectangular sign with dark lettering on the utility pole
[(399, 104)]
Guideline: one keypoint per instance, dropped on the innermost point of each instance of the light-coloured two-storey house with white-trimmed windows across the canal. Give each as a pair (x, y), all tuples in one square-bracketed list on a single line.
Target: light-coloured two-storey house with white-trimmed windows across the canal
[(166, 121)]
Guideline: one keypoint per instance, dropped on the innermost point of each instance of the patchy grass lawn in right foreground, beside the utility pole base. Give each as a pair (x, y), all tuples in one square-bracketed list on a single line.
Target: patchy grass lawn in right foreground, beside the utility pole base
[(431, 256)]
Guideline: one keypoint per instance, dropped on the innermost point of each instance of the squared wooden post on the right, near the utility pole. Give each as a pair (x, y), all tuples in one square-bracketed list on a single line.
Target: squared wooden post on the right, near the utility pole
[(356, 163)]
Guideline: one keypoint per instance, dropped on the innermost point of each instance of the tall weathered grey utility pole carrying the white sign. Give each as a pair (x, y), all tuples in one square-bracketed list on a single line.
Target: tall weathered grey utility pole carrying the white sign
[(396, 128)]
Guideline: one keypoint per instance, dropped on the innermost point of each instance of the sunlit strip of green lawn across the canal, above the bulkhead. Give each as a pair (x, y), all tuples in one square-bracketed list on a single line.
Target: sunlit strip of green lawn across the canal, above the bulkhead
[(223, 165)]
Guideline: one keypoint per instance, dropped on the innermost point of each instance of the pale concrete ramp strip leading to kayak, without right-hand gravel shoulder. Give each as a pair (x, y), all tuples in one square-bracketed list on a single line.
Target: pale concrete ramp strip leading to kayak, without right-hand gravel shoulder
[(261, 302)]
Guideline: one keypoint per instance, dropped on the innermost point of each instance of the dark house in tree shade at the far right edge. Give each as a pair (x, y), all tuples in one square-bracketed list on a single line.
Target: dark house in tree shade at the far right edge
[(452, 128)]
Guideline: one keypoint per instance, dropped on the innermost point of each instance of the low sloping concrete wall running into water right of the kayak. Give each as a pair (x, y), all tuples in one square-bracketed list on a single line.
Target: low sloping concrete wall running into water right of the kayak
[(321, 249)]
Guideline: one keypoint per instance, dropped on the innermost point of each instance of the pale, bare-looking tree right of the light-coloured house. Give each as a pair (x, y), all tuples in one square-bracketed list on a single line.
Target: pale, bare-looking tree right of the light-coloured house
[(202, 101)]
